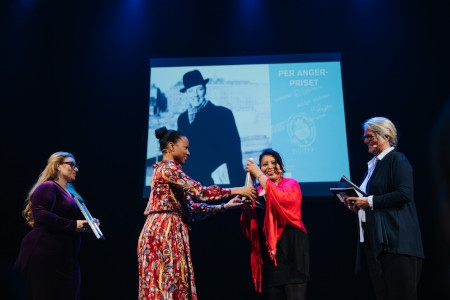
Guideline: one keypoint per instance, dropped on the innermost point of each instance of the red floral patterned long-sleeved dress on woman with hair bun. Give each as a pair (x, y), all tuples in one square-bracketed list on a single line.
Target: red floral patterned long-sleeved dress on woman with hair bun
[(164, 256)]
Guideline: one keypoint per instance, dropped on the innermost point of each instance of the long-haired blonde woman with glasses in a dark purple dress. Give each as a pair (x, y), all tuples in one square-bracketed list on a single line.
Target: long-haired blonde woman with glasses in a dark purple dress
[(48, 256)]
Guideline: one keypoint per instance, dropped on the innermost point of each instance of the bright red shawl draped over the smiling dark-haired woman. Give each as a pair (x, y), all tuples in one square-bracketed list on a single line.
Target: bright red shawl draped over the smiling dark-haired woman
[(283, 206)]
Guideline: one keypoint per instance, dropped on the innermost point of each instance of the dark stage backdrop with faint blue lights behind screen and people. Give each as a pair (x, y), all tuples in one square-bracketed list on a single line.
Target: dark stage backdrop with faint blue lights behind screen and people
[(75, 77)]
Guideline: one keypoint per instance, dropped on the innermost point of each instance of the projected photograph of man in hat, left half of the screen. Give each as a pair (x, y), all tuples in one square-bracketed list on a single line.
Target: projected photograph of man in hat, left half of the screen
[(224, 111)]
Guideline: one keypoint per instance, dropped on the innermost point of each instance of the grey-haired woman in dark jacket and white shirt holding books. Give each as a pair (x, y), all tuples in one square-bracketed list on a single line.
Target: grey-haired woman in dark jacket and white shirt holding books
[(390, 235)]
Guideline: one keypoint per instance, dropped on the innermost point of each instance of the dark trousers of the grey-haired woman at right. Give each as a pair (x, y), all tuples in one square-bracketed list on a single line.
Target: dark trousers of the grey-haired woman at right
[(395, 276)]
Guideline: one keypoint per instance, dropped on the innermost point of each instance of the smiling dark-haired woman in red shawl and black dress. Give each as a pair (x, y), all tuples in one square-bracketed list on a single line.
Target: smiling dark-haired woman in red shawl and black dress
[(280, 245)]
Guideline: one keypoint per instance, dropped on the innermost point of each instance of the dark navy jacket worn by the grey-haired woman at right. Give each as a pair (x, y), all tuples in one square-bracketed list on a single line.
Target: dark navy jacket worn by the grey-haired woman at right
[(393, 225)]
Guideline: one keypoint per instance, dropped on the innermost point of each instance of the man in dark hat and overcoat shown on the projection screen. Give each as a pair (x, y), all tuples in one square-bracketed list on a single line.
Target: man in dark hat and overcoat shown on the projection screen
[(214, 142)]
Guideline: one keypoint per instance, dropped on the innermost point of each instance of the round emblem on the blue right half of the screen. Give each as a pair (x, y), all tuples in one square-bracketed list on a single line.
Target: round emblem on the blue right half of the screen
[(301, 130)]
